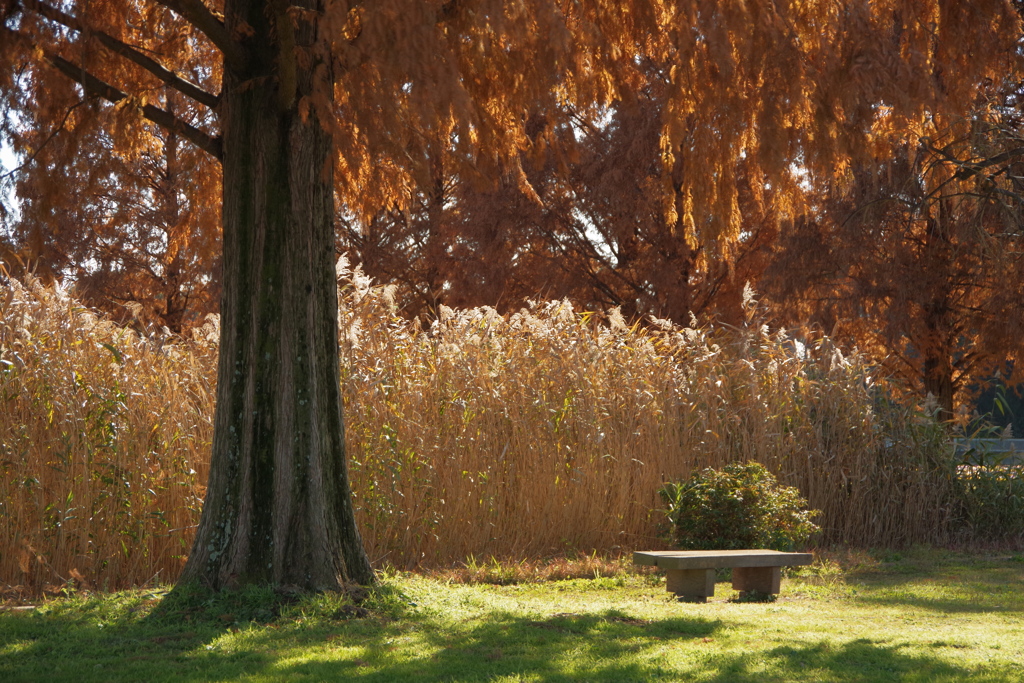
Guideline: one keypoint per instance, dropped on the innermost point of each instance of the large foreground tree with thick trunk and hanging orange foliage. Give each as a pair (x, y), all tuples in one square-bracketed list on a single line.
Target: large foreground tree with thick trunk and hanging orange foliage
[(318, 96)]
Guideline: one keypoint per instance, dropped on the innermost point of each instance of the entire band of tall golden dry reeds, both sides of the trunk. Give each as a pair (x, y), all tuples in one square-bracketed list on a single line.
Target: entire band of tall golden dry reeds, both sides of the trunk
[(542, 434)]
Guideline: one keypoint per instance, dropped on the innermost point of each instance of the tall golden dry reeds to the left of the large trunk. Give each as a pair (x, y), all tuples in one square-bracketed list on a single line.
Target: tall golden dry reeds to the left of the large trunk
[(103, 445)]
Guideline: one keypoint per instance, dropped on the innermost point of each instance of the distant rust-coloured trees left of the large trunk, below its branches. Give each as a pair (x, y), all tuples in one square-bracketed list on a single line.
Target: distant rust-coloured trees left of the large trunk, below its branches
[(136, 232)]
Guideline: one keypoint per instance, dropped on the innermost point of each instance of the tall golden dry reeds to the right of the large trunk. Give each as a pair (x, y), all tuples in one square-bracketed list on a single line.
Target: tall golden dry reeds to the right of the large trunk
[(546, 432)]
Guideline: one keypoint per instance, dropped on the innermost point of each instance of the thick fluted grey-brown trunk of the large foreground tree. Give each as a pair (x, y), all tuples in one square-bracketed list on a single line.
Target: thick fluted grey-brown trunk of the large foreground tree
[(278, 507)]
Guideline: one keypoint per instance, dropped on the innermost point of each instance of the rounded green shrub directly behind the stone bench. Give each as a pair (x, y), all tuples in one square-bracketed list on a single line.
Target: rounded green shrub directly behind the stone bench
[(741, 506)]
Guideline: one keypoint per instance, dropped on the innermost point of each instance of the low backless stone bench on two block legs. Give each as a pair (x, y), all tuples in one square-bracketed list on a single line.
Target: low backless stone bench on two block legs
[(692, 573)]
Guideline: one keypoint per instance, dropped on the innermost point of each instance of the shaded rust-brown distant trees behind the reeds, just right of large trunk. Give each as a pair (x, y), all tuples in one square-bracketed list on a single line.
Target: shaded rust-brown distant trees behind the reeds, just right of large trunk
[(591, 223)]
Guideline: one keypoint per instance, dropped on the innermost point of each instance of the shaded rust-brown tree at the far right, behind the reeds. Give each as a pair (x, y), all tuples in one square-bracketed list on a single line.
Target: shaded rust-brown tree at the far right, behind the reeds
[(921, 258)]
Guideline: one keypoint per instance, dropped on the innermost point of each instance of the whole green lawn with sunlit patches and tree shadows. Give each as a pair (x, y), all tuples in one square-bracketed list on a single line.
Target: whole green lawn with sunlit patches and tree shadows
[(926, 616)]
